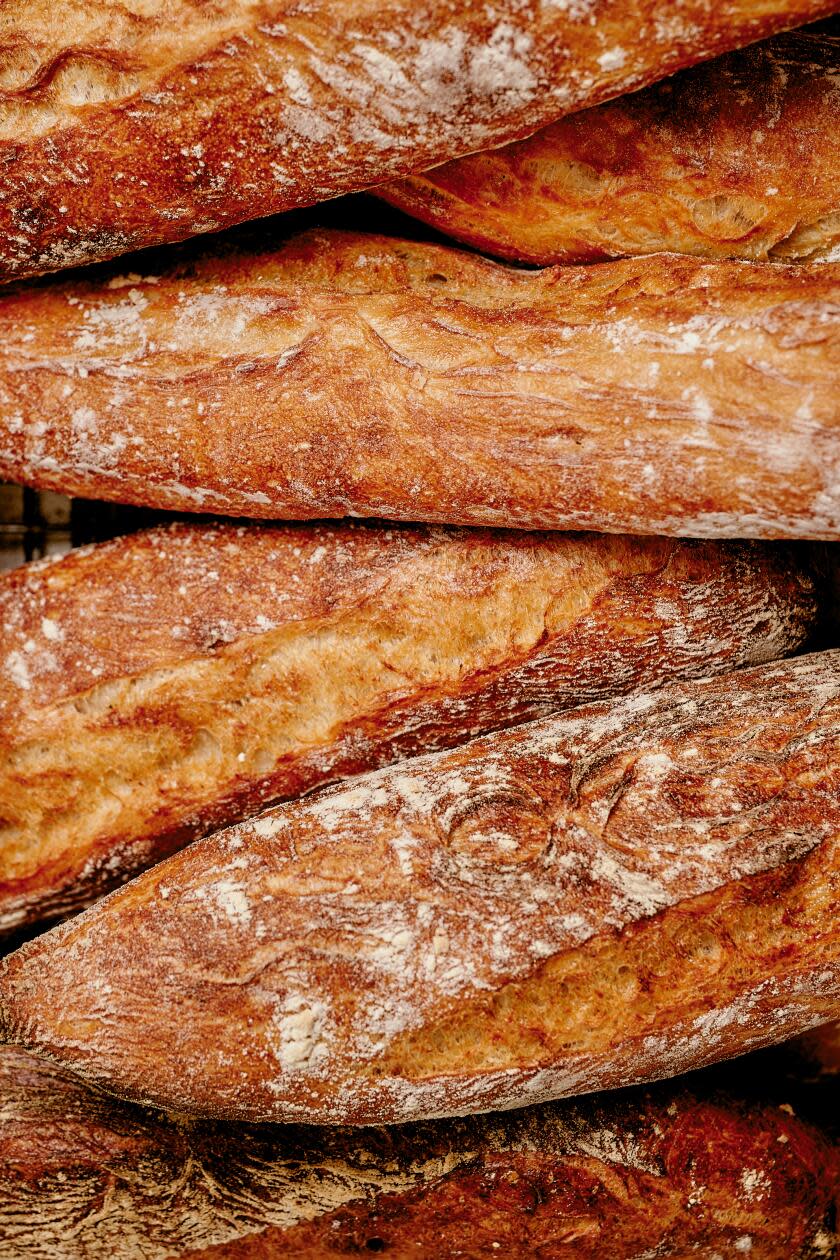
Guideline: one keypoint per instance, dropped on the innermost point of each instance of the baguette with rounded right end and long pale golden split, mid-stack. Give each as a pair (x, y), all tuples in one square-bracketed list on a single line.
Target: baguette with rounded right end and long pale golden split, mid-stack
[(163, 686)]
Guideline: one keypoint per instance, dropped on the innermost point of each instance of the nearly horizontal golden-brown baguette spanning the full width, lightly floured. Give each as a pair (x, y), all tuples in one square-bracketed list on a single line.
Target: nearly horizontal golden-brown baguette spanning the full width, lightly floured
[(355, 375)]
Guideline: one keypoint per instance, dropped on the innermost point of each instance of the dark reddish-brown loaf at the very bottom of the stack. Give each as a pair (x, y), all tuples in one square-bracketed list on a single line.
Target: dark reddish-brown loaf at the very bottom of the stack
[(667, 1172)]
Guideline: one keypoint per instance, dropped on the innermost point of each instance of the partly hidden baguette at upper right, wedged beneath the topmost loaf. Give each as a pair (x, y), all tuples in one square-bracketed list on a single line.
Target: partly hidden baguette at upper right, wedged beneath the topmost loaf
[(735, 159)]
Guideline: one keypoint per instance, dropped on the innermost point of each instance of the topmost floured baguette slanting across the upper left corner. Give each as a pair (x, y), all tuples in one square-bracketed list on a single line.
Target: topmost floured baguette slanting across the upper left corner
[(153, 122)]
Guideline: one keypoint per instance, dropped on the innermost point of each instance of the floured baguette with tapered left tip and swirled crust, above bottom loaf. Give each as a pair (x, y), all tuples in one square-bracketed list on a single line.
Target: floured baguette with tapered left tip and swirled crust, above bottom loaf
[(628, 891)]
